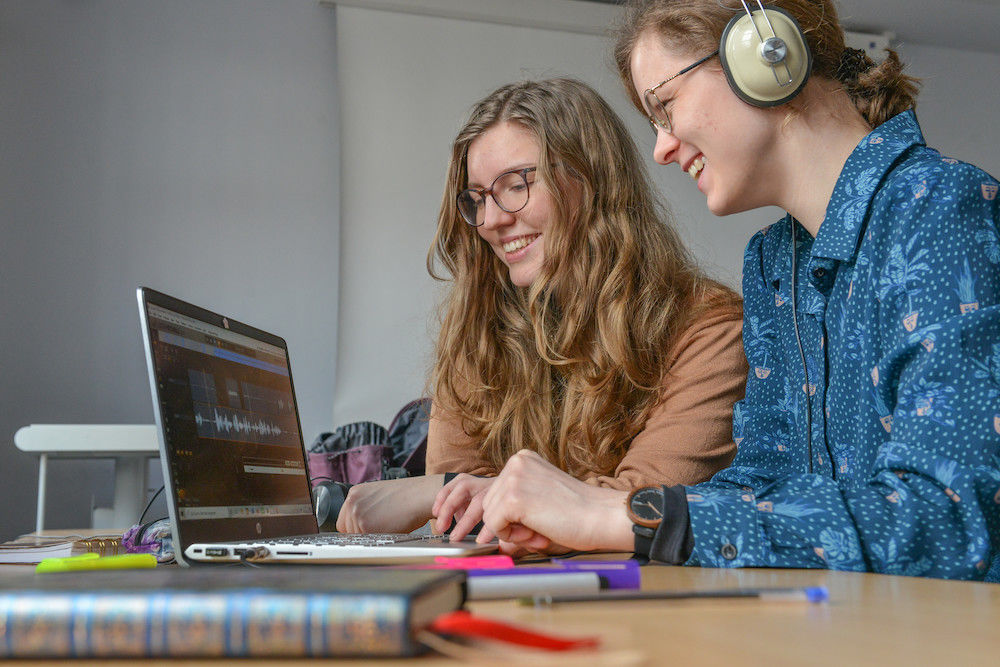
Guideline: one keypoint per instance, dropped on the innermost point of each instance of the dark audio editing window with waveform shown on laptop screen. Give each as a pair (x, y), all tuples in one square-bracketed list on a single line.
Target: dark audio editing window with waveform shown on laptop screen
[(229, 415)]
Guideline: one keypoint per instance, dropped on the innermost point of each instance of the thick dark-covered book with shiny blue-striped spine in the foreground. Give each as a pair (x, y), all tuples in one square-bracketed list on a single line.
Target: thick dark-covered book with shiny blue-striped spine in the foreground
[(273, 611)]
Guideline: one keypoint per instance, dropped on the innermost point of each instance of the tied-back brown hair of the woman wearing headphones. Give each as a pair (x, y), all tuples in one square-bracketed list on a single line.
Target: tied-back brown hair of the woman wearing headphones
[(694, 27)]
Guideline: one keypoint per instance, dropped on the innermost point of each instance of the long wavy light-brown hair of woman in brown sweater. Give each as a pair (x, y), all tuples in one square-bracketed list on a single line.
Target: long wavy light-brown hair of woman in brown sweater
[(571, 366)]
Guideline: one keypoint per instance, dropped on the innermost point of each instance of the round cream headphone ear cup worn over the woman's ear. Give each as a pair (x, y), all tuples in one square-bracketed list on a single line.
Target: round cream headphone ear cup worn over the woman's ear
[(754, 79)]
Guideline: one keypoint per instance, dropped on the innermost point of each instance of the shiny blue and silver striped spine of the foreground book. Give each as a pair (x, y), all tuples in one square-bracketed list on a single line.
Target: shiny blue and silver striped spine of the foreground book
[(246, 623)]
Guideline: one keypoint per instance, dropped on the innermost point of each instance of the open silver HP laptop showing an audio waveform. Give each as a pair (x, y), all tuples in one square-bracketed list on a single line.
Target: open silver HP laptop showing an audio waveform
[(231, 448)]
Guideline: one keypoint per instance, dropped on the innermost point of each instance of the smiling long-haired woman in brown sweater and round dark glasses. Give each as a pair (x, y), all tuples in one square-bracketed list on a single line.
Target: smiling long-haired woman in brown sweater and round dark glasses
[(576, 325)]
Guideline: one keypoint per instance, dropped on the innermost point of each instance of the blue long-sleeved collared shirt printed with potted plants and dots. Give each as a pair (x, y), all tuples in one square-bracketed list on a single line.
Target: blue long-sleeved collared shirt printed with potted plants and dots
[(898, 301)]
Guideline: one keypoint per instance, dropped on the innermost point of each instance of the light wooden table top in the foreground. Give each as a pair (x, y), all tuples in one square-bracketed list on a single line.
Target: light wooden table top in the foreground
[(870, 619)]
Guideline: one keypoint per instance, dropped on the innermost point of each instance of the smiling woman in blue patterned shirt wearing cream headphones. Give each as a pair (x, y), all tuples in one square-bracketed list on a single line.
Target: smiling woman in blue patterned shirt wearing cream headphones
[(869, 438)]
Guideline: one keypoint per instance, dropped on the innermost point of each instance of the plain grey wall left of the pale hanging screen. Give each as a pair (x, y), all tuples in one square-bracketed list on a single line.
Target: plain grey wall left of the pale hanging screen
[(188, 145)]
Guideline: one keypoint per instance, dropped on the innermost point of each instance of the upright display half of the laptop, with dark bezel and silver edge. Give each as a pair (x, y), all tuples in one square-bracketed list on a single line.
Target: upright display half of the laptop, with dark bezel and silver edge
[(232, 448)]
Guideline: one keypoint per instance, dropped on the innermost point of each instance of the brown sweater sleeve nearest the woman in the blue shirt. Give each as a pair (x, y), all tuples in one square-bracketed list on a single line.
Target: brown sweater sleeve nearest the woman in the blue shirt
[(688, 436)]
